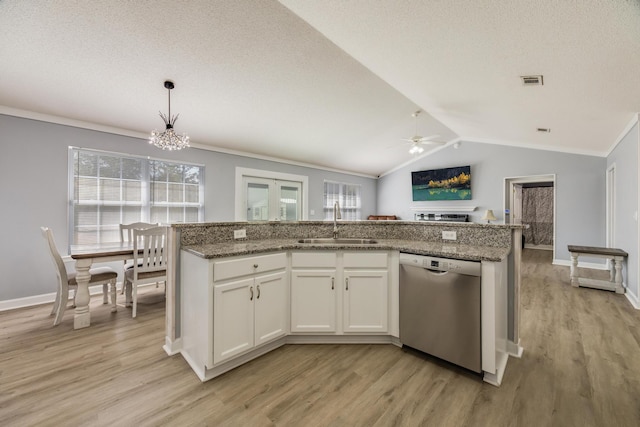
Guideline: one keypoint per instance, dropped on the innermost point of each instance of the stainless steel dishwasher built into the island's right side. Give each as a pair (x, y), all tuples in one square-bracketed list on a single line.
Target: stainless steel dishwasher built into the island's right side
[(440, 308)]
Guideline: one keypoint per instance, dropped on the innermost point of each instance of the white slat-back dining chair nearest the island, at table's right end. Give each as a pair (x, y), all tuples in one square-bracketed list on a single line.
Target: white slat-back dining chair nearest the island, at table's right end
[(149, 262)]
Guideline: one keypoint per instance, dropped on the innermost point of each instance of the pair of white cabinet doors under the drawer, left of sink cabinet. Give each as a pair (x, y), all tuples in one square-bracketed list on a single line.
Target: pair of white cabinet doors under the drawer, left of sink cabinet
[(247, 313)]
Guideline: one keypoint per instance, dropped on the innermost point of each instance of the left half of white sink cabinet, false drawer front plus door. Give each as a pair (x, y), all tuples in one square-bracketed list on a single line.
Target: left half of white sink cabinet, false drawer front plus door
[(313, 292)]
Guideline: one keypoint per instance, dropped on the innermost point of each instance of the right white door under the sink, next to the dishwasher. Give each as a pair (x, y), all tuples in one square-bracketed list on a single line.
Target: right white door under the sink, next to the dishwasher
[(365, 301)]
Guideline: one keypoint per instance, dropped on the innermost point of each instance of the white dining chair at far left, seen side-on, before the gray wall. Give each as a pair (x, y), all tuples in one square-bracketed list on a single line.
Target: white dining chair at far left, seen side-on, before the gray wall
[(104, 276)]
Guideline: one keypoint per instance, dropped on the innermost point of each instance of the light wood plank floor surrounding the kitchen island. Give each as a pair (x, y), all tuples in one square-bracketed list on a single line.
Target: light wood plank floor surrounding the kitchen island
[(581, 367)]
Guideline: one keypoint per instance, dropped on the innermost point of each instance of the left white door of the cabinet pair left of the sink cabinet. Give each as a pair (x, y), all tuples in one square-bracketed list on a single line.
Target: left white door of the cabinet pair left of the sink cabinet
[(232, 318)]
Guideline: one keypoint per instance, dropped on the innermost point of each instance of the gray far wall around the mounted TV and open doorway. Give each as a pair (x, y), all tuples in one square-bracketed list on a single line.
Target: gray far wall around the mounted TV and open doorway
[(580, 187)]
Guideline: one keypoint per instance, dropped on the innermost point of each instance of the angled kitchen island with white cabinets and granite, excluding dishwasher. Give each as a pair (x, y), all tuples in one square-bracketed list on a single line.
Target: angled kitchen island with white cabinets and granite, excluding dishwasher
[(230, 301)]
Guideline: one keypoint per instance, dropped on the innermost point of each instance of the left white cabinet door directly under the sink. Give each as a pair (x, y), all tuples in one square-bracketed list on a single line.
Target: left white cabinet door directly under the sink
[(313, 300)]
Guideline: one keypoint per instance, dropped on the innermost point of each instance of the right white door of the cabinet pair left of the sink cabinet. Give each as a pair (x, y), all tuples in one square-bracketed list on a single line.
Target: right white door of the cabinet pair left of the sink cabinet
[(271, 307)]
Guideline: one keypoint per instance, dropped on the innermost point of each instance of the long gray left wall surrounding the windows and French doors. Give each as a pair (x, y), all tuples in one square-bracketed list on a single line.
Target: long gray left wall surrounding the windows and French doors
[(33, 186)]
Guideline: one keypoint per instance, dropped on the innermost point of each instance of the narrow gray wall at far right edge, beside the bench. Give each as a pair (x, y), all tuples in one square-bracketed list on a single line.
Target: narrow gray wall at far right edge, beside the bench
[(625, 158)]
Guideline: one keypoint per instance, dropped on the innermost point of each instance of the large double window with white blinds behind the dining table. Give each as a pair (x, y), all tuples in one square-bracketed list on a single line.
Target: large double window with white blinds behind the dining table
[(108, 189)]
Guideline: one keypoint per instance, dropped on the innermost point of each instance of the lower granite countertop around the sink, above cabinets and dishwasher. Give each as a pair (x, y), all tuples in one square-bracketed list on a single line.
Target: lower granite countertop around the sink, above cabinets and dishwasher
[(445, 250)]
